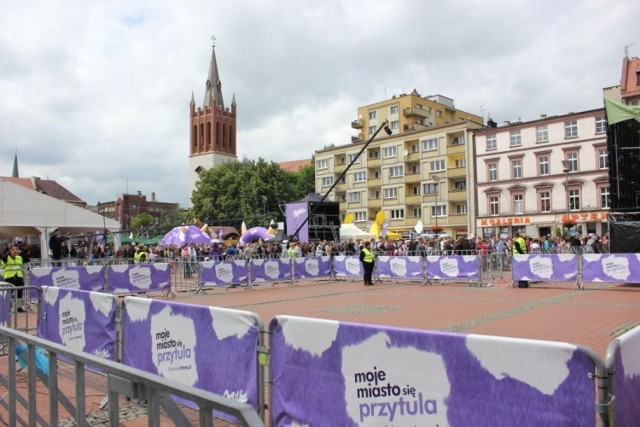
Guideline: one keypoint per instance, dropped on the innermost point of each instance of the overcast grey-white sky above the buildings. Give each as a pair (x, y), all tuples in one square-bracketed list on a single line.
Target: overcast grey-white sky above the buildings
[(95, 94)]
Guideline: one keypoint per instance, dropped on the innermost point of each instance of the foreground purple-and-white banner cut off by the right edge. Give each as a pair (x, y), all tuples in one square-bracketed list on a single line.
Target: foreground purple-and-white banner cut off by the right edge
[(623, 360)]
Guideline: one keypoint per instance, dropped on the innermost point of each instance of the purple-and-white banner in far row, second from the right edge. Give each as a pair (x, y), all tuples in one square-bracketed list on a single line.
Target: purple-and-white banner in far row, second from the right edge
[(545, 267)]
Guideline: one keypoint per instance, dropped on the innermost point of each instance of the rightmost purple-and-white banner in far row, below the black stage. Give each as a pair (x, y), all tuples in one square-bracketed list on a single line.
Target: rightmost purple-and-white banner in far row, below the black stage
[(616, 268)]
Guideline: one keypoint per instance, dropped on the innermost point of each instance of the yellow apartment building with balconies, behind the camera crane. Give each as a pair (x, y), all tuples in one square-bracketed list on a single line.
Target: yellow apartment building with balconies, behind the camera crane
[(421, 172)]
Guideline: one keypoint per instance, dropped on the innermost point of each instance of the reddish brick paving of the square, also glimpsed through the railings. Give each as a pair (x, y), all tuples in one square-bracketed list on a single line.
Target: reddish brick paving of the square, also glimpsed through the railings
[(592, 317)]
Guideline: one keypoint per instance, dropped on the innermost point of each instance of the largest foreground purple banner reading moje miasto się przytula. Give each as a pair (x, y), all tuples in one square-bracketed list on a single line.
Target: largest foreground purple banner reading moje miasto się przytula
[(336, 373)]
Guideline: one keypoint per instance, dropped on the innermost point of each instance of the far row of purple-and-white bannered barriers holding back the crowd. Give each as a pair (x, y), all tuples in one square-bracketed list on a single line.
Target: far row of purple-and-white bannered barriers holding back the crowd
[(476, 269)]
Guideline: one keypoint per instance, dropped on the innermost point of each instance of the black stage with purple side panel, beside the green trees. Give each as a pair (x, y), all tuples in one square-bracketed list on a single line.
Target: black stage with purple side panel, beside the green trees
[(314, 218)]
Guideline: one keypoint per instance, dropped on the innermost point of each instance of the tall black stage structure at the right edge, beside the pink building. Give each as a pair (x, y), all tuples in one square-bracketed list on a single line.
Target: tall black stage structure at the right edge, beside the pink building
[(623, 145)]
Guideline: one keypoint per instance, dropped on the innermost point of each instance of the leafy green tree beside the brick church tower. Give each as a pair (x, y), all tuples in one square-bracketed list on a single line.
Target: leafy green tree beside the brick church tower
[(249, 191)]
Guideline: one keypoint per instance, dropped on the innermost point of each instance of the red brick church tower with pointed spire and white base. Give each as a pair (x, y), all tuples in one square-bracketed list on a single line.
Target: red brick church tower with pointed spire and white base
[(212, 131)]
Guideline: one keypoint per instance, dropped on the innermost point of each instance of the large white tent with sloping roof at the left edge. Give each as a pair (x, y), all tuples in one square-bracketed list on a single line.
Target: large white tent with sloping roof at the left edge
[(25, 212)]
